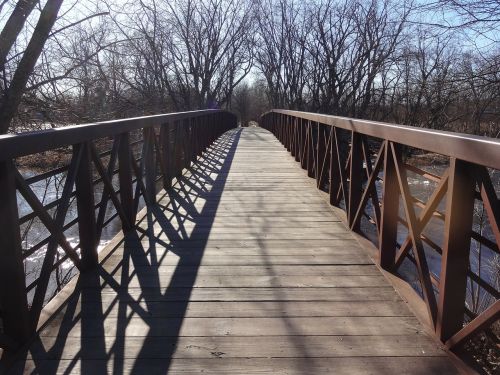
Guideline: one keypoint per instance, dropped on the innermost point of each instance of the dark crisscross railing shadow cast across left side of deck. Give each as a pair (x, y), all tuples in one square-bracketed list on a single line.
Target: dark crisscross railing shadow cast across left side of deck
[(162, 231)]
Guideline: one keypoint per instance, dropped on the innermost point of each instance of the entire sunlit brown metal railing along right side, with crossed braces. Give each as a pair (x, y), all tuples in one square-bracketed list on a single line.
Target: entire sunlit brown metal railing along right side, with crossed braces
[(359, 161)]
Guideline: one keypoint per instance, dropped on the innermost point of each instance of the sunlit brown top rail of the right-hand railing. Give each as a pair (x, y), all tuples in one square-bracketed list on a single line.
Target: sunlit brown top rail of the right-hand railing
[(475, 149)]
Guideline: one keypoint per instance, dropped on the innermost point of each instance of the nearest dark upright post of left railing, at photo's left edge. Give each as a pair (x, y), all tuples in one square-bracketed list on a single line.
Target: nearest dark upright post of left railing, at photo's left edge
[(13, 301)]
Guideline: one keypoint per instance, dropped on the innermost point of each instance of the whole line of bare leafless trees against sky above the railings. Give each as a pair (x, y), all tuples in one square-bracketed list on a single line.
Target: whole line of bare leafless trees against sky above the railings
[(64, 62)]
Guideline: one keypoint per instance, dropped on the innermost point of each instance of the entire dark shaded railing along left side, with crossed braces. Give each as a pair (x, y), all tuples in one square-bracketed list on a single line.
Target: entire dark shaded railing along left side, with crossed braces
[(122, 160)]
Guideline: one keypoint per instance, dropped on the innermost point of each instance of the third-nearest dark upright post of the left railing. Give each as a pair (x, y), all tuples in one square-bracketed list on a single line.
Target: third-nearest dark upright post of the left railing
[(125, 178)]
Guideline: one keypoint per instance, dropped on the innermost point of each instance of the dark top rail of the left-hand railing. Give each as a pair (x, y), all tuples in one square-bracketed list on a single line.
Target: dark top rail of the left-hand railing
[(22, 144)]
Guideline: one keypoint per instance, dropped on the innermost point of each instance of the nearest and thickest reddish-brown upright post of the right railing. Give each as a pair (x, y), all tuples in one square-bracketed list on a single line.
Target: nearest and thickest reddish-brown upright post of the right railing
[(456, 246)]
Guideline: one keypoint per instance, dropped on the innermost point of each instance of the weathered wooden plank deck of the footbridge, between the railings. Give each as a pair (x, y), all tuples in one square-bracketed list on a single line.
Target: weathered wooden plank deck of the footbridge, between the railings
[(243, 268)]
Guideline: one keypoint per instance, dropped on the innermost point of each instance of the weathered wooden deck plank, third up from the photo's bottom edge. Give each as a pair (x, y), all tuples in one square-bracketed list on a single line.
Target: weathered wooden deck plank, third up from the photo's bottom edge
[(301, 326)]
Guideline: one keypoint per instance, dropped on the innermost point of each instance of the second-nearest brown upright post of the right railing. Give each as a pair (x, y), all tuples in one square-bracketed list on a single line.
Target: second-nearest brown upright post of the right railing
[(390, 208)]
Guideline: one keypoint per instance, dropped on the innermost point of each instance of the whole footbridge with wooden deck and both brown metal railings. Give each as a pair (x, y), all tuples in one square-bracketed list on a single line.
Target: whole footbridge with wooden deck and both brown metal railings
[(242, 262)]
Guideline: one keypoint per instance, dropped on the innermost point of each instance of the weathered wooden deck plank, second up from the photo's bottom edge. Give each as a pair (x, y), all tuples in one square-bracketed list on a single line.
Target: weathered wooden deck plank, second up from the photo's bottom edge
[(238, 347)]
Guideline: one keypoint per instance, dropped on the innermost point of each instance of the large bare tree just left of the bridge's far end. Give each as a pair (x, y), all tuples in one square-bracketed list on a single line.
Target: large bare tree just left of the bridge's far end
[(211, 49)]
